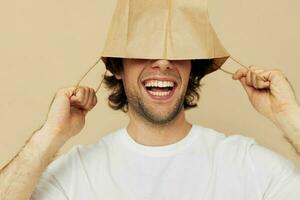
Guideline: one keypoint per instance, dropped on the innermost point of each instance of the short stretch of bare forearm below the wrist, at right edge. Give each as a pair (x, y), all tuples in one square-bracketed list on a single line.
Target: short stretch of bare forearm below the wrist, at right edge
[(289, 123)]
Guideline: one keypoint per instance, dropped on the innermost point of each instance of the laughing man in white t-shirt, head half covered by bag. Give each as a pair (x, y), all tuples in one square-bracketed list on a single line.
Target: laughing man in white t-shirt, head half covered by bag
[(159, 155)]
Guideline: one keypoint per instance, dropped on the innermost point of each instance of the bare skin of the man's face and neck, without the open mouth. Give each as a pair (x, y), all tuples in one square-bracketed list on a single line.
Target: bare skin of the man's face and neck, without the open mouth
[(163, 131)]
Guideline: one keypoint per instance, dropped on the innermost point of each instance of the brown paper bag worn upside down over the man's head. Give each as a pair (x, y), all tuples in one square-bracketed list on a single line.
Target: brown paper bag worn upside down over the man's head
[(163, 29)]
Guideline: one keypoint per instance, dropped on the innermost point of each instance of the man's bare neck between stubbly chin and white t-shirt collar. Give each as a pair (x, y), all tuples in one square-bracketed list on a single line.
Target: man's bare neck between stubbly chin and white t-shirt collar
[(149, 134)]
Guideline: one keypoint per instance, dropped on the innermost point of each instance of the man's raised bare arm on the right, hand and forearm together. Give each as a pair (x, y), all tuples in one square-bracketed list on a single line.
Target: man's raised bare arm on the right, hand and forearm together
[(272, 95)]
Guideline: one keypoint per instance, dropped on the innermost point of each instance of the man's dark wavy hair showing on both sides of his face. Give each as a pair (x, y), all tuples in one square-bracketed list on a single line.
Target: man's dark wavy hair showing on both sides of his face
[(118, 100)]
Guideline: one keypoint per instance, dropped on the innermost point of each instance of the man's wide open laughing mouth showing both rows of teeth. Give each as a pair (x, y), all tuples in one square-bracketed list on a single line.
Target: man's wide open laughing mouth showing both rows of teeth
[(159, 89)]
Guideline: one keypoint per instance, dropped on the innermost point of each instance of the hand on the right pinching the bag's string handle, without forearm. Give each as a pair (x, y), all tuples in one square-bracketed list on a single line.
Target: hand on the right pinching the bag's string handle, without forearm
[(269, 91)]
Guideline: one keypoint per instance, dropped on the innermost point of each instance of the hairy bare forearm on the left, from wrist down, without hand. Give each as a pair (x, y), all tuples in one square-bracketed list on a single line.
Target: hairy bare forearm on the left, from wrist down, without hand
[(19, 178)]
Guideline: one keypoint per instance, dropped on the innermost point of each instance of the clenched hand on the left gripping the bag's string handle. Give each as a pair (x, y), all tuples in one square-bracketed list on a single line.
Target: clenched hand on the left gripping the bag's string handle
[(67, 113)]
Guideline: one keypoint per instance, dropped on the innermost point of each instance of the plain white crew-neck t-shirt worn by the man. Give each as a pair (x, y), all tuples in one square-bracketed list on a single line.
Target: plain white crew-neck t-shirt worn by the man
[(204, 165)]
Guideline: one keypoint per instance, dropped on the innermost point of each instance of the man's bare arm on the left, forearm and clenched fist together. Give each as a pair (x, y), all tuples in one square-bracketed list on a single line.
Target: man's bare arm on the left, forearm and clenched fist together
[(65, 119)]
